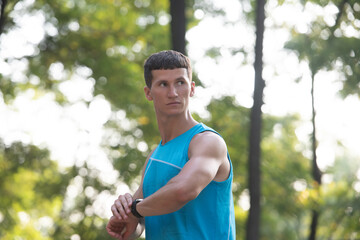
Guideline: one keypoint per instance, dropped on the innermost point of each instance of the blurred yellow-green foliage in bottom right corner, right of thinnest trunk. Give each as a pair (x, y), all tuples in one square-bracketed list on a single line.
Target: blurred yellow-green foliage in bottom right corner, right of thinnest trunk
[(340, 205)]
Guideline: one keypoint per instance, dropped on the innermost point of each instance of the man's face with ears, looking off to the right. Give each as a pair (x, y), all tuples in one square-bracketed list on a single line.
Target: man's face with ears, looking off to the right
[(170, 90)]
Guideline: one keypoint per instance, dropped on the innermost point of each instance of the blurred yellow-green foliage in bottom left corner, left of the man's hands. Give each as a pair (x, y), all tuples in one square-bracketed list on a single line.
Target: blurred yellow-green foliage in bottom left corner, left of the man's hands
[(38, 199)]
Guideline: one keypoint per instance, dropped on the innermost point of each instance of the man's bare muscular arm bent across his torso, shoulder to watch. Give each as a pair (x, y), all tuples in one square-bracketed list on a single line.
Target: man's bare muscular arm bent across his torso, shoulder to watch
[(207, 162)]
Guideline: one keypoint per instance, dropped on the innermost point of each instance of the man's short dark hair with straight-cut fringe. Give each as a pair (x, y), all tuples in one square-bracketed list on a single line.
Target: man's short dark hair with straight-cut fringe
[(168, 59)]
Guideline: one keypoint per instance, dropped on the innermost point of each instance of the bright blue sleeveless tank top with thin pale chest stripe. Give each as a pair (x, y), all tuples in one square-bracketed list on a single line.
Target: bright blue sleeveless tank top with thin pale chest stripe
[(209, 216)]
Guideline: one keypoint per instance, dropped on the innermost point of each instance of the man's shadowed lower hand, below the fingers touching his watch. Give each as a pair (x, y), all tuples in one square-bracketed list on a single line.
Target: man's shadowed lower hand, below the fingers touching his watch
[(122, 229)]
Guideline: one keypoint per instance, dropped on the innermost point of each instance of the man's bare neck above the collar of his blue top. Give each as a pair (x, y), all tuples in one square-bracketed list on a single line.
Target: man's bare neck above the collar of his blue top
[(172, 126)]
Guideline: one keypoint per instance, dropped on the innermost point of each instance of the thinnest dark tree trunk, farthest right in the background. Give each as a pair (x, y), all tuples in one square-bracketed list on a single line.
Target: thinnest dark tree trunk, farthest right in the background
[(315, 171)]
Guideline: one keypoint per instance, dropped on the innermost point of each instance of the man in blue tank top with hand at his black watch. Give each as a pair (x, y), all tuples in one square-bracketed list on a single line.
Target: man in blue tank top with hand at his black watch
[(185, 191)]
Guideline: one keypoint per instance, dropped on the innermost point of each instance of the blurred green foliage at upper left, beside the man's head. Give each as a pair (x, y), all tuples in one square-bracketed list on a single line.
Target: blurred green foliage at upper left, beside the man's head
[(111, 39)]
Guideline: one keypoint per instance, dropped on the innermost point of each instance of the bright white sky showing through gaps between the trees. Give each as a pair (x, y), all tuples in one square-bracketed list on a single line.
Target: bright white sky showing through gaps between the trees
[(73, 133)]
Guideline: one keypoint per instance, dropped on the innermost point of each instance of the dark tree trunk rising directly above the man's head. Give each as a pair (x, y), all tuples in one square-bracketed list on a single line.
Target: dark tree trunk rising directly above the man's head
[(178, 25)]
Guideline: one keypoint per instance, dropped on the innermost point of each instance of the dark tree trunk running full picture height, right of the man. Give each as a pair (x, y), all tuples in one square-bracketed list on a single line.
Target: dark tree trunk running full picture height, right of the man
[(253, 221)]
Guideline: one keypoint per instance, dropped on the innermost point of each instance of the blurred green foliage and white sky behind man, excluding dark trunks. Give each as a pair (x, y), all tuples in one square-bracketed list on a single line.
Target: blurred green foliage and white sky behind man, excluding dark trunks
[(75, 128)]
